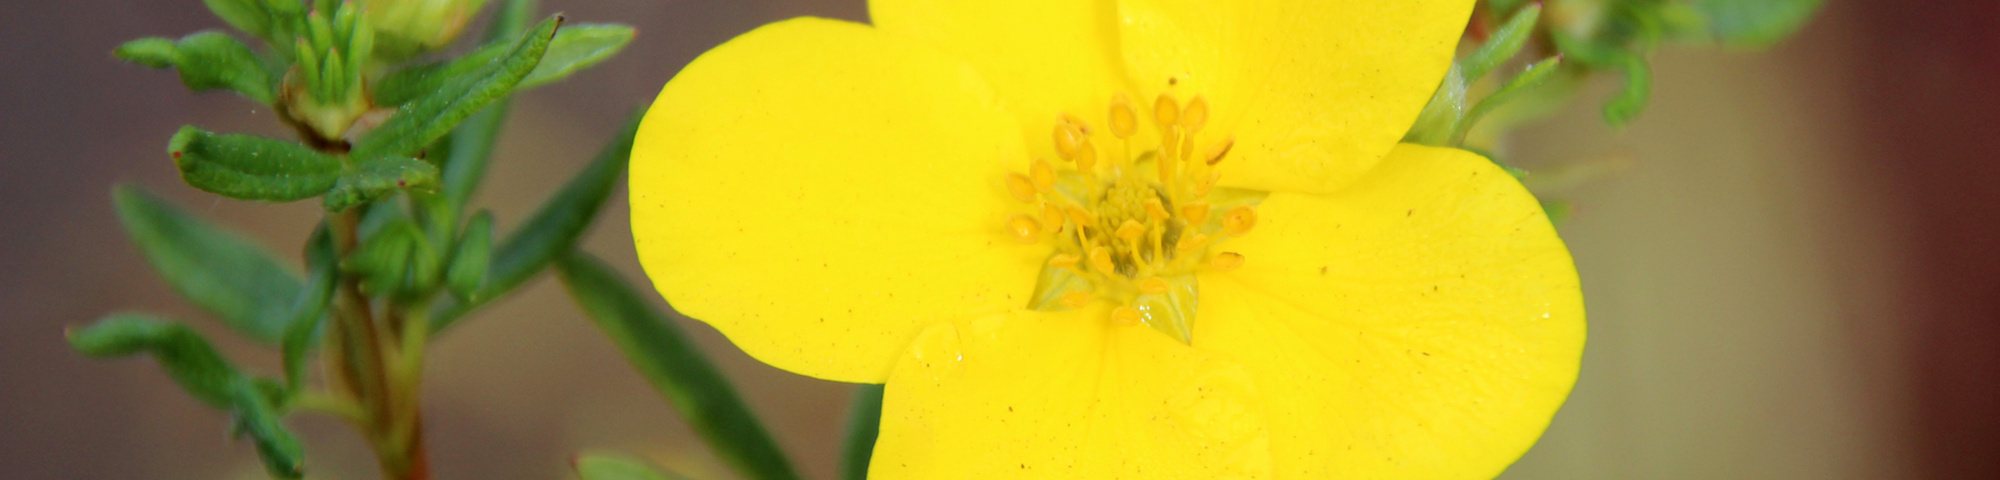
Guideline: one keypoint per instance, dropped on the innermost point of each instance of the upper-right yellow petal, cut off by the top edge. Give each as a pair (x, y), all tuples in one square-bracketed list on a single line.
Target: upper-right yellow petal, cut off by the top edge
[(1315, 91)]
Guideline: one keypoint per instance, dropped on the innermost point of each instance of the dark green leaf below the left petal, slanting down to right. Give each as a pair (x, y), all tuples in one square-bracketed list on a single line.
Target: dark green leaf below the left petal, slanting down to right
[(659, 349)]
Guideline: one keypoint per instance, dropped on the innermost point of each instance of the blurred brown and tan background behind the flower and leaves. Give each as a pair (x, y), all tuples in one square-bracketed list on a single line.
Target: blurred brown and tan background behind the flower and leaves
[(1797, 277)]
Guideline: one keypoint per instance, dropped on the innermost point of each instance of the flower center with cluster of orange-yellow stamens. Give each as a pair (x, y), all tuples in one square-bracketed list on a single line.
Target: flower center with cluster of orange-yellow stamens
[(1133, 225)]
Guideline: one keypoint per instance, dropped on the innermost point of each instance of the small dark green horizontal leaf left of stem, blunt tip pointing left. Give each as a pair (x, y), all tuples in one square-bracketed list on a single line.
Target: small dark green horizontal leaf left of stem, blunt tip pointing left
[(251, 167)]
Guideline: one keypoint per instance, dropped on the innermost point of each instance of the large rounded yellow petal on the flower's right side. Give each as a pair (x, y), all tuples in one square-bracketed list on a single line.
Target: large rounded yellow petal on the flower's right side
[(1425, 323)]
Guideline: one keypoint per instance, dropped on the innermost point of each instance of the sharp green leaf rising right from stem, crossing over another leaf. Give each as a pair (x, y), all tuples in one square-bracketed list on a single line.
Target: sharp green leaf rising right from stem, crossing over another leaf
[(439, 111)]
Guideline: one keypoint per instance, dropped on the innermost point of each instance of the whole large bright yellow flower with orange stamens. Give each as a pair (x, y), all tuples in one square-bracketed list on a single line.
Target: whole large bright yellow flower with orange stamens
[(1145, 239)]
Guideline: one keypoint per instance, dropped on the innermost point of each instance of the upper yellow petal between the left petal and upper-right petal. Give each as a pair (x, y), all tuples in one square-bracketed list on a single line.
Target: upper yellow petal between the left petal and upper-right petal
[(1043, 57)]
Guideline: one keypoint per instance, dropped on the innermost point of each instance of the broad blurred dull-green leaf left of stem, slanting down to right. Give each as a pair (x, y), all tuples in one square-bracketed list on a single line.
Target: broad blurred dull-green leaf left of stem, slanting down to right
[(225, 275)]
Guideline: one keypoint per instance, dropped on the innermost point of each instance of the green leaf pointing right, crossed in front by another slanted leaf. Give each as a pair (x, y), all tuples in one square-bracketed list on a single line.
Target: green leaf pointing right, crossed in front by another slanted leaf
[(569, 53)]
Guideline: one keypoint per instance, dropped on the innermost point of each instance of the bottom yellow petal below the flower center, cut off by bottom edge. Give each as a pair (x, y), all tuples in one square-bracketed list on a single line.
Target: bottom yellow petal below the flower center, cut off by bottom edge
[(1067, 397)]
